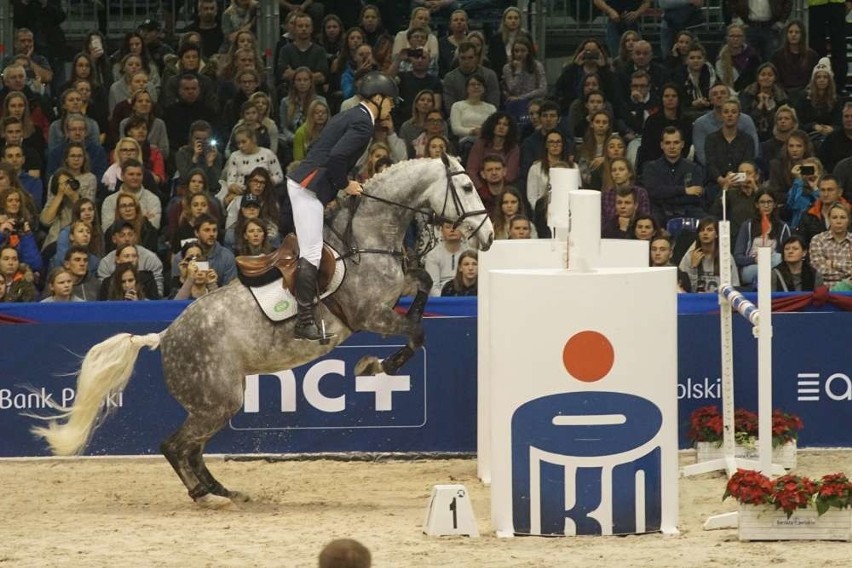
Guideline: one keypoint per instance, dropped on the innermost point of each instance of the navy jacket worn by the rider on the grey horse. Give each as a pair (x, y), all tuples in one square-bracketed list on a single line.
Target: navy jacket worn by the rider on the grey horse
[(330, 158)]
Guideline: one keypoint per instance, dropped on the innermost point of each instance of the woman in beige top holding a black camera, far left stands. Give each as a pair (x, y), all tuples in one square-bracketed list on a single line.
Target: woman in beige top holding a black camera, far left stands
[(69, 184)]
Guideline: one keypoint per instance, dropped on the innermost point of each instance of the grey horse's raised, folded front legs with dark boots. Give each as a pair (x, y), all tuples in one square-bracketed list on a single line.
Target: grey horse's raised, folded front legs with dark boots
[(392, 323)]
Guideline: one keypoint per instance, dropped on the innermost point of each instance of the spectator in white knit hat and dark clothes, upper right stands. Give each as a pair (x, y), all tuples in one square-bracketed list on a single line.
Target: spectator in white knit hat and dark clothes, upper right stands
[(820, 109)]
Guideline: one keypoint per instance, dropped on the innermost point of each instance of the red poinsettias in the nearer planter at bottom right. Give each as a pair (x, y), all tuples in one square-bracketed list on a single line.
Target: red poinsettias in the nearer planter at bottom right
[(790, 492)]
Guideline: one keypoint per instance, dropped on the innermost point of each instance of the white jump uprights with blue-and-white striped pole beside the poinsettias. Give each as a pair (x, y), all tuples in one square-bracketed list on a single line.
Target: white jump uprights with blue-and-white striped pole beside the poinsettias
[(760, 317)]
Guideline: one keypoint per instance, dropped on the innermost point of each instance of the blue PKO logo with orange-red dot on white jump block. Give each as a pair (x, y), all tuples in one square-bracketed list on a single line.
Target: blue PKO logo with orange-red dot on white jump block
[(587, 463)]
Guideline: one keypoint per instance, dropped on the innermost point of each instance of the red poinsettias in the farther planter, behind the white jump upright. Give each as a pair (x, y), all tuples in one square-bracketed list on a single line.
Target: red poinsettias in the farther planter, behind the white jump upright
[(706, 425)]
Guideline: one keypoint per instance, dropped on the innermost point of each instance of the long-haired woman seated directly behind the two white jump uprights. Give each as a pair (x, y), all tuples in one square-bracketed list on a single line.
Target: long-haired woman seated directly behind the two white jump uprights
[(764, 229)]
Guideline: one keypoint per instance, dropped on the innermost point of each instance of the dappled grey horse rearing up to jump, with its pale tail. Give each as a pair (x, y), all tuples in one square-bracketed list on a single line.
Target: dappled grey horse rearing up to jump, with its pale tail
[(223, 336)]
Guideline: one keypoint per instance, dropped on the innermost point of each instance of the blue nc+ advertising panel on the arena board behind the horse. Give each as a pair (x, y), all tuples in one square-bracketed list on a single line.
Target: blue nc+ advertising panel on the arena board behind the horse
[(326, 394)]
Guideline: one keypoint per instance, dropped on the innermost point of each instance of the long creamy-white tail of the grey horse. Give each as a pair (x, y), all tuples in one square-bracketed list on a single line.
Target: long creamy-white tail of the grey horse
[(105, 371)]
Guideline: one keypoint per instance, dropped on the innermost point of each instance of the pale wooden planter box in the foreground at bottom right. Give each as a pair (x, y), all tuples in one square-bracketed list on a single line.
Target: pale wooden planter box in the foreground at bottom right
[(764, 522)]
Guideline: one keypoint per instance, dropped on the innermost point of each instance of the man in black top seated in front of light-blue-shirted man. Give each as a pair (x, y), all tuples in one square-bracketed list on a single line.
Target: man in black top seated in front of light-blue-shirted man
[(725, 150)]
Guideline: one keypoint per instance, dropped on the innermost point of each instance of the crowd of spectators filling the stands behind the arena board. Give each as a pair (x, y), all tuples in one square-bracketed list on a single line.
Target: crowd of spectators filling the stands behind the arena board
[(143, 171)]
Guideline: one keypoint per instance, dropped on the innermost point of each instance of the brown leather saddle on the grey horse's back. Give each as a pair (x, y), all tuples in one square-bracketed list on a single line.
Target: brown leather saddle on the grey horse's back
[(263, 269)]
